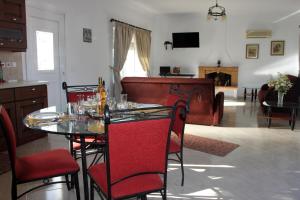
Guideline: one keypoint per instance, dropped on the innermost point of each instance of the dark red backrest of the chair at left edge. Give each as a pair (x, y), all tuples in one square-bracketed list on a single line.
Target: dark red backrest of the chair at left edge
[(9, 134)]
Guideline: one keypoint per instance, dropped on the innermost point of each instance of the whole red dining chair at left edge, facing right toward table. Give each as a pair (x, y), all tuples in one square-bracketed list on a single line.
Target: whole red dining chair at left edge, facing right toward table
[(39, 166)]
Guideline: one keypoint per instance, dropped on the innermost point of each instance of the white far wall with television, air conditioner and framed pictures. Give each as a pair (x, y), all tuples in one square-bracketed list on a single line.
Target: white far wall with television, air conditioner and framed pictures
[(226, 41)]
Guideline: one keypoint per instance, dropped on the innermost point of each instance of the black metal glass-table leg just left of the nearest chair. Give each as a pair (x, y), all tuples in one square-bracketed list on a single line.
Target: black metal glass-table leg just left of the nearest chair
[(84, 168)]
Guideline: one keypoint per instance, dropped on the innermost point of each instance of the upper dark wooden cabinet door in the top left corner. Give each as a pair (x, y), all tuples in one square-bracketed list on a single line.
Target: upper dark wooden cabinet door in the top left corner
[(13, 11)]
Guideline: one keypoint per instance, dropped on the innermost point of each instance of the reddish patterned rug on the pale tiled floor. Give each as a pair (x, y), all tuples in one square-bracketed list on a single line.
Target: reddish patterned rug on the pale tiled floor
[(207, 145)]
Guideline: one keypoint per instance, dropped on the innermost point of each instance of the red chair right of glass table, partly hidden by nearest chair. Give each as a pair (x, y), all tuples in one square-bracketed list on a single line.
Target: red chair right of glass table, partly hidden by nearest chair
[(176, 142)]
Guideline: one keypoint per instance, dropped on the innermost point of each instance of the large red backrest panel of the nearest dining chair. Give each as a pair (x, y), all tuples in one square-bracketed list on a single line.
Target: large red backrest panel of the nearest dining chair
[(138, 147)]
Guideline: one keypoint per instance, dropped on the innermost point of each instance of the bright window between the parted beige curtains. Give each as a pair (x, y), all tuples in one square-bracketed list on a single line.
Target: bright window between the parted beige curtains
[(132, 66)]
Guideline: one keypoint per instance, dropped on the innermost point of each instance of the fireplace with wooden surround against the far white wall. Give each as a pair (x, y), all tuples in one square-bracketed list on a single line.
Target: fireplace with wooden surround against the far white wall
[(223, 76)]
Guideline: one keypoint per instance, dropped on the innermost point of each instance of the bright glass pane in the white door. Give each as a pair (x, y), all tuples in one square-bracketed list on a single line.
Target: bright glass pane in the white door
[(45, 51)]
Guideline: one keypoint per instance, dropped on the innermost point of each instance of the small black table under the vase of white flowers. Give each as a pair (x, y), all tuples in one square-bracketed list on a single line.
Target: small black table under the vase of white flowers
[(286, 105)]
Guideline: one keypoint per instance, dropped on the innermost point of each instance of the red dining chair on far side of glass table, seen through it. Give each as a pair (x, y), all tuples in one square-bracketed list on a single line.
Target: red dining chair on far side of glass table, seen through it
[(94, 145)]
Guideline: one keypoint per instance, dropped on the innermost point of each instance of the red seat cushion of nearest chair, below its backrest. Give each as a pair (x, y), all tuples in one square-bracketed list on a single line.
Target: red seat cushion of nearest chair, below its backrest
[(131, 186)]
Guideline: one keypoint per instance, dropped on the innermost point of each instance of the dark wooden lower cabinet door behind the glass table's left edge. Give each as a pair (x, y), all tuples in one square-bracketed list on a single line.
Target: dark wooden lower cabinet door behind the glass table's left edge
[(23, 108)]
